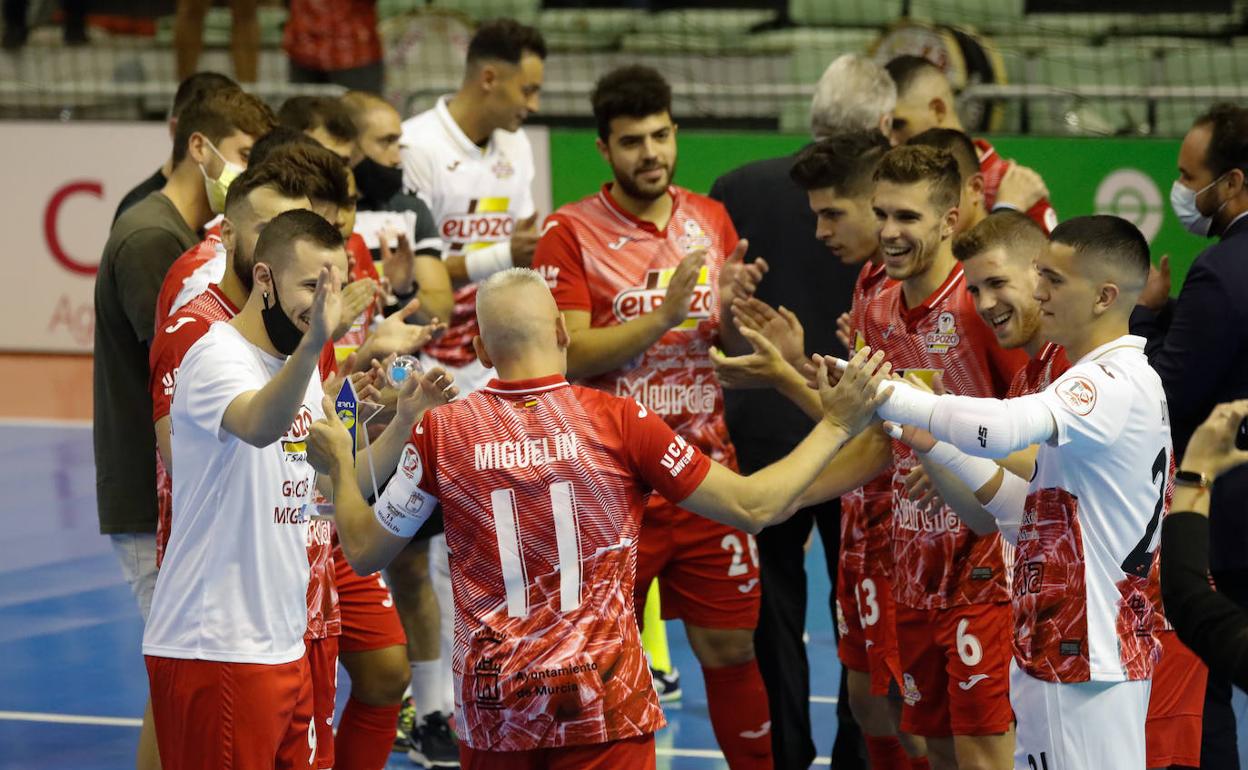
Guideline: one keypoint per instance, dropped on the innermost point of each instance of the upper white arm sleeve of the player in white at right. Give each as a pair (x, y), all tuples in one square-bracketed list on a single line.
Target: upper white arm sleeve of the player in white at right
[(984, 427)]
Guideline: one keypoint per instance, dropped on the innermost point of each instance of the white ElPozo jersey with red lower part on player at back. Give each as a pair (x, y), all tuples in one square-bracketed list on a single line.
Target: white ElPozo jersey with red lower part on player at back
[(476, 195)]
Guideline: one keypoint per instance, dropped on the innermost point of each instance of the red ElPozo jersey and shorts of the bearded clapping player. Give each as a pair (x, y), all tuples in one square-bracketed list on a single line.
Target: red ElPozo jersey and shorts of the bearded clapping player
[(600, 259)]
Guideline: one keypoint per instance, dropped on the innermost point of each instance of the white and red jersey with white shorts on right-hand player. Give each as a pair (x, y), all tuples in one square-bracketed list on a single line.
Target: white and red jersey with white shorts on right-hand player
[(1086, 550)]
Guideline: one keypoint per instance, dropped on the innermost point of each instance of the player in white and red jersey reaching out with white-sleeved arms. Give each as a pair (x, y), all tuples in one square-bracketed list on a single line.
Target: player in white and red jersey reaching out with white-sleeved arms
[(1086, 525)]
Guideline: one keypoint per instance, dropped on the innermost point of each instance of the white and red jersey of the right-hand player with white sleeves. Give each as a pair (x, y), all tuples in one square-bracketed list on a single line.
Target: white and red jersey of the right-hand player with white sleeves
[(1093, 522)]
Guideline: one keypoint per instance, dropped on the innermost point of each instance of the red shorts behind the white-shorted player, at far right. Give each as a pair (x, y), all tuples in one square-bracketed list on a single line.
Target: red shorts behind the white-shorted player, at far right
[(1176, 706)]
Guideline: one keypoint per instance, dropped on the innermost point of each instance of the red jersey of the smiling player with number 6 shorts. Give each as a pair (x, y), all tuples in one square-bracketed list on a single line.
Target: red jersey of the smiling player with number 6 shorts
[(938, 561)]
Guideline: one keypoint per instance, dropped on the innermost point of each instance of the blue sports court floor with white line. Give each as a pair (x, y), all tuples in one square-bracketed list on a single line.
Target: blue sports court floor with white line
[(72, 678)]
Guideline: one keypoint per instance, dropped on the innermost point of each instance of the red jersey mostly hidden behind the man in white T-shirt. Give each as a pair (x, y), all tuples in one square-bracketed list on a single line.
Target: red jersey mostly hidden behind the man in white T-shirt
[(173, 340)]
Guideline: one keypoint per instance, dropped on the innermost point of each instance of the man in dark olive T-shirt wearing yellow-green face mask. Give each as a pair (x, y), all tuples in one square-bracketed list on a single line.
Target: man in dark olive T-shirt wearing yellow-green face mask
[(213, 140)]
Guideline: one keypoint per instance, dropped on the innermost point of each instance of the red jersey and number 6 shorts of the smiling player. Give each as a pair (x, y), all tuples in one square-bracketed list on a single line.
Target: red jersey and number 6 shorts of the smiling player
[(950, 585)]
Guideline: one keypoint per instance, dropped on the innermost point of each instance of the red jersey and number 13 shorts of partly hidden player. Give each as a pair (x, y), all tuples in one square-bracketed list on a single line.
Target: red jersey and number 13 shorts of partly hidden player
[(865, 611)]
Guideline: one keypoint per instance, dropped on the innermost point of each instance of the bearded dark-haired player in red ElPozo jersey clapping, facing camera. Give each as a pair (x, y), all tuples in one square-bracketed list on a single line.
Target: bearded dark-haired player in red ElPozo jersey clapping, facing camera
[(646, 273)]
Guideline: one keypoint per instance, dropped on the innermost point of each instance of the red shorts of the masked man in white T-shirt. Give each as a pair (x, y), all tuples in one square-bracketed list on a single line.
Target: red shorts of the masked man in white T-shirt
[(212, 716)]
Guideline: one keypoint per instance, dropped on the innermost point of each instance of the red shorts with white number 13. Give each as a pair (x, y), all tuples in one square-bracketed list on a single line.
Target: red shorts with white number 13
[(867, 627)]
